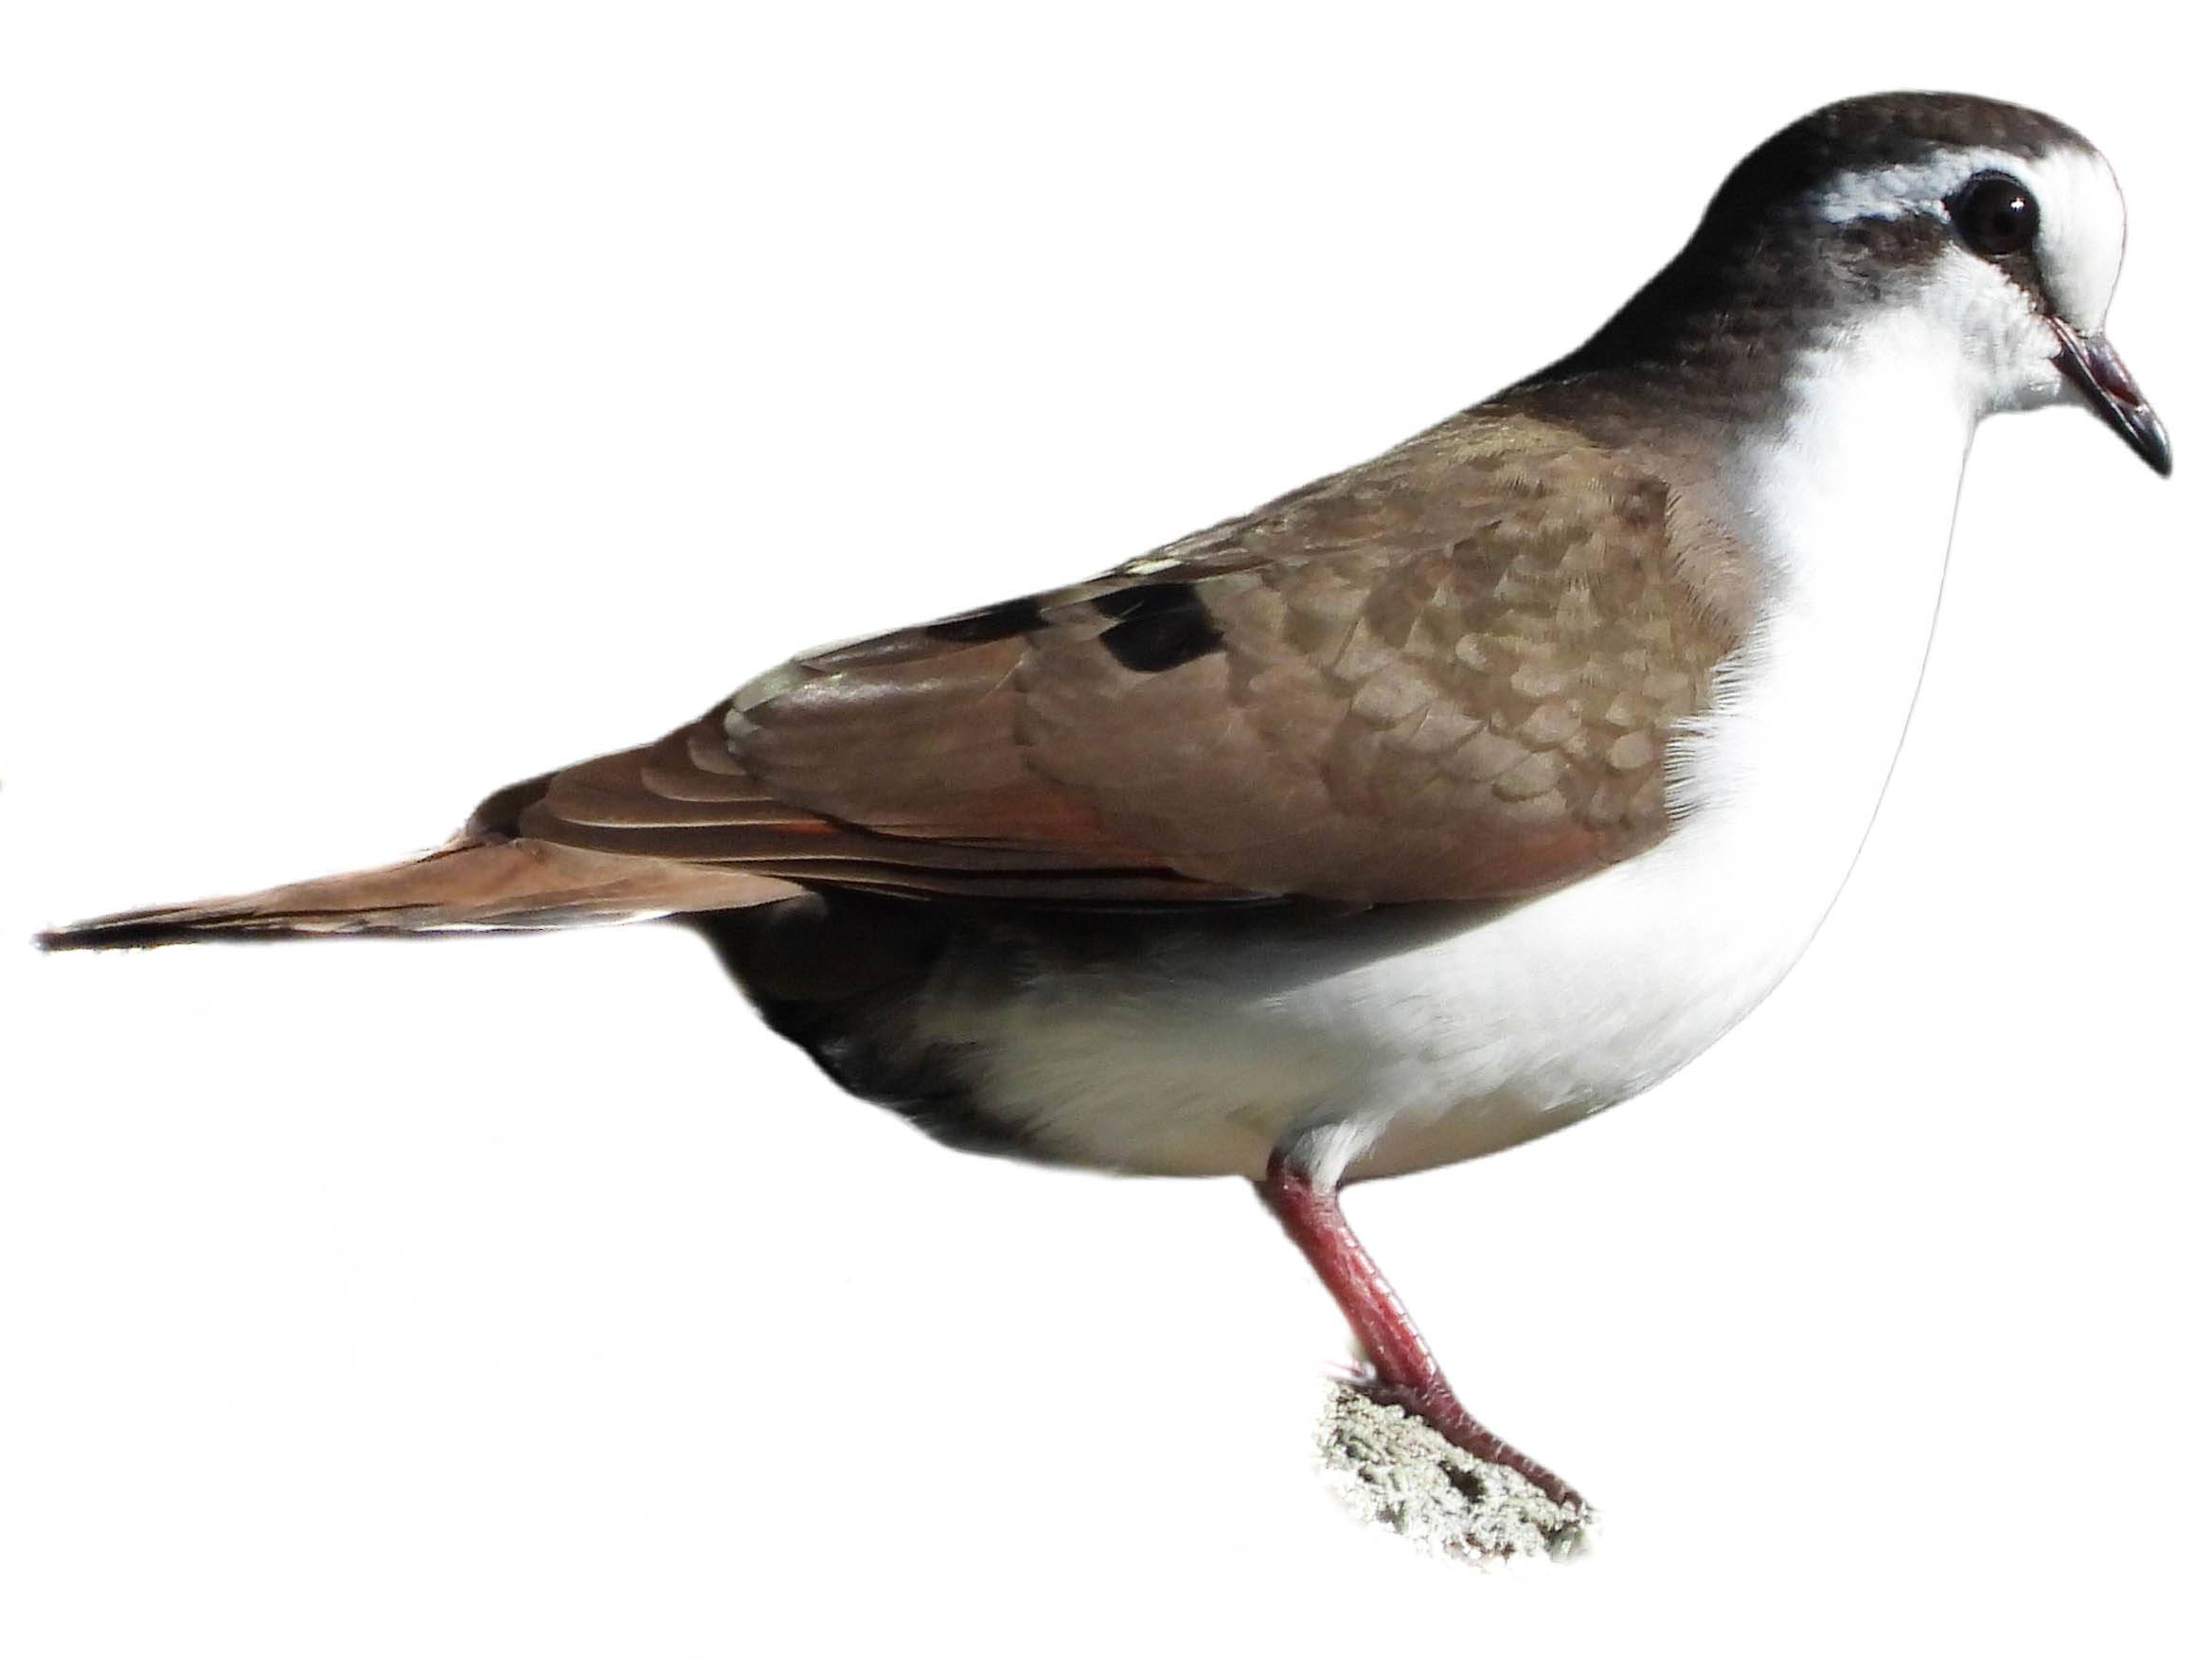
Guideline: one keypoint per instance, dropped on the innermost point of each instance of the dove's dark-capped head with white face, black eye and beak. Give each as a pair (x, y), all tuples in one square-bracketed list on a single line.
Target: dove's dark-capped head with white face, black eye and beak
[(1992, 229)]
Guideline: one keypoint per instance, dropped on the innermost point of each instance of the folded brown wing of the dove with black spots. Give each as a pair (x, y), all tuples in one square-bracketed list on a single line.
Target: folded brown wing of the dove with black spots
[(1448, 674)]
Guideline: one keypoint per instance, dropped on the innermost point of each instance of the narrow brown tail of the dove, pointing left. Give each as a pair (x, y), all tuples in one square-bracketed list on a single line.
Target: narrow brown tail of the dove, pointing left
[(468, 884)]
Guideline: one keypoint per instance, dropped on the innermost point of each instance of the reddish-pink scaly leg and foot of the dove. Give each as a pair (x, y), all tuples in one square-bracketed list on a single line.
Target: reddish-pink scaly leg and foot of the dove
[(1406, 1373)]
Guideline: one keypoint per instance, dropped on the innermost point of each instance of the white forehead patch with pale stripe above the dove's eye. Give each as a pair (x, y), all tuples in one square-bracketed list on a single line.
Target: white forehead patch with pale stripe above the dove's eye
[(2085, 225)]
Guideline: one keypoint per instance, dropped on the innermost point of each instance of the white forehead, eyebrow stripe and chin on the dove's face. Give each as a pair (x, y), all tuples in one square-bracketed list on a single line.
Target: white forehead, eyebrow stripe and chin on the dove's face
[(2005, 342)]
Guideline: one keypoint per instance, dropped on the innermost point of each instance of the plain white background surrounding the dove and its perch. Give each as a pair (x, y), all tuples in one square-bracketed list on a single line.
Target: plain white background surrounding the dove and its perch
[(406, 399)]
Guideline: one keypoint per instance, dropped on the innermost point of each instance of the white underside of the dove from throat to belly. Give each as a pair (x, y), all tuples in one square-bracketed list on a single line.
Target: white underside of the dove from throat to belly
[(1472, 1039)]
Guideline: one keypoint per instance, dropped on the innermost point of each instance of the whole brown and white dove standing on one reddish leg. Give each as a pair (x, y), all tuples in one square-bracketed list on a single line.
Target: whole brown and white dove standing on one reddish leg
[(1419, 813)]
